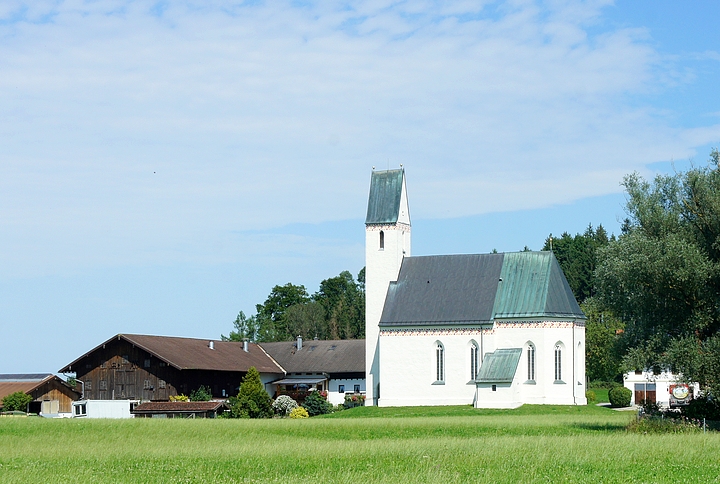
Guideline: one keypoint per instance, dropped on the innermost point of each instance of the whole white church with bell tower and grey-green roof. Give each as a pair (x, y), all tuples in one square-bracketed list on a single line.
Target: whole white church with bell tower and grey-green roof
[(491, 330)]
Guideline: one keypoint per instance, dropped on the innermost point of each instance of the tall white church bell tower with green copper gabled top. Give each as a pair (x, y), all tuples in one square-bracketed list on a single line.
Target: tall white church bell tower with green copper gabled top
[(387, 241)]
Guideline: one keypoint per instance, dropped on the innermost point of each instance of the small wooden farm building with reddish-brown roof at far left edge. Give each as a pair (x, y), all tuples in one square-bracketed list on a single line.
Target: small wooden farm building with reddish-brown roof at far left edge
[(51, 395)]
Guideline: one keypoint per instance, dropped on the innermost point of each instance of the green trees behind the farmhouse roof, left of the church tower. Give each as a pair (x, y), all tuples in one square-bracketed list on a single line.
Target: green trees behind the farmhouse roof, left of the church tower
[(335, 311)]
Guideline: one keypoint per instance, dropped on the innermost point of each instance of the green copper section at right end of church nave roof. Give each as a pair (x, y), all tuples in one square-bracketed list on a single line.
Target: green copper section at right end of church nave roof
[(532, 284)]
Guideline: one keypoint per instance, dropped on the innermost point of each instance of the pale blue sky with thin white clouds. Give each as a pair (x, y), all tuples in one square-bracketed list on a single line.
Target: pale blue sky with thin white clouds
[(164, 165)]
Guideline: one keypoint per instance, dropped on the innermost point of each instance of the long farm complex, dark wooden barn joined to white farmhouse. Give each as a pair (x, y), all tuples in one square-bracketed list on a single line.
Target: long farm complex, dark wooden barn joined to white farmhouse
[(142, 368)]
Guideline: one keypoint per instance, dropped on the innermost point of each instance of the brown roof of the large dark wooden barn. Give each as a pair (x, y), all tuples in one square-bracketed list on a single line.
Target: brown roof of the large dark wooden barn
[(196, 354)]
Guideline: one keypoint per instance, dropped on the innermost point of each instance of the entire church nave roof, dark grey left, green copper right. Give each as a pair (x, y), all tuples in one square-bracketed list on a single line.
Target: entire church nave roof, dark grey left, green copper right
[(477, 288)]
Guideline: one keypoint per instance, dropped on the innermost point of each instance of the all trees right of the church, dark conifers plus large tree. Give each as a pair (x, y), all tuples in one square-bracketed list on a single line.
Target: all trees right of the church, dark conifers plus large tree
[(652, 295)]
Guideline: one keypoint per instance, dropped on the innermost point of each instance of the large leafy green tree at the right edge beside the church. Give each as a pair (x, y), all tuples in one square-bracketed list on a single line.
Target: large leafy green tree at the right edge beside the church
[(662, 275)]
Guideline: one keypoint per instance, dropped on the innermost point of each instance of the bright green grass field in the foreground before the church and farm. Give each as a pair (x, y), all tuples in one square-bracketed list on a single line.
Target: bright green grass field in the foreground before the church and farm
[(436, 444)]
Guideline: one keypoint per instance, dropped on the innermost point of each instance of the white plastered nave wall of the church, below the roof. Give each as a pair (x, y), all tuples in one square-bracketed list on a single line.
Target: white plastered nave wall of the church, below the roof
[(409, 359)]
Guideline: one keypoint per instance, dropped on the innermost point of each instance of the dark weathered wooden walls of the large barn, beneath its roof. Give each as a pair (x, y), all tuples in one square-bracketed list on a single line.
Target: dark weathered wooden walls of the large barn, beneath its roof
[(122, 371)]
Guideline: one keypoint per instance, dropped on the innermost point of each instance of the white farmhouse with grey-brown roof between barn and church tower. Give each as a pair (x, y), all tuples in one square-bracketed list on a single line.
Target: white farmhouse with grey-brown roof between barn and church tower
[(334, 366)]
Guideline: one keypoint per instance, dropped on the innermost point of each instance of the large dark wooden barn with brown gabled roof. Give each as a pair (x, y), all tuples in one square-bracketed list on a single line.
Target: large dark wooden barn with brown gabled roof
[(147, 368)]
